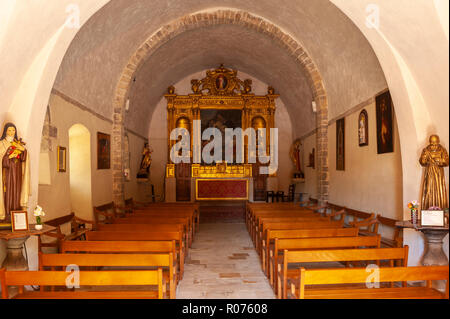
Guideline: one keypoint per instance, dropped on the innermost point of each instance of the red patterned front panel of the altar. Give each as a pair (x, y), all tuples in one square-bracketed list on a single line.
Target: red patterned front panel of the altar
[(212, 189)]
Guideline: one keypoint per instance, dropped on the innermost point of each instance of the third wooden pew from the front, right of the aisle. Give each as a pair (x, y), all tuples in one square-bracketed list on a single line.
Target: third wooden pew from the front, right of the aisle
[(316, 243)]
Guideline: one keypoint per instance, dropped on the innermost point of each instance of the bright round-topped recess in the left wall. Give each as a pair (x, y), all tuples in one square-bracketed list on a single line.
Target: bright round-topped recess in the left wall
[(80, 171)]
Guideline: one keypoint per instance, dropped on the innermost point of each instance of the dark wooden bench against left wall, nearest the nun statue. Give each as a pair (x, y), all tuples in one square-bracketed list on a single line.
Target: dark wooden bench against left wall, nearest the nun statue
[(77, 231)]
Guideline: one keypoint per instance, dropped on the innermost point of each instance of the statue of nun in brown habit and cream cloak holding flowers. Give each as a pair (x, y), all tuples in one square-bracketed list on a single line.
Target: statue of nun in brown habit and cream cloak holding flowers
[(15, 173)]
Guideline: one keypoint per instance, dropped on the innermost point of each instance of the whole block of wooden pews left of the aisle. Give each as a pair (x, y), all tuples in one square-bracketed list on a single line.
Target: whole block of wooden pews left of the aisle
[(131, 252)]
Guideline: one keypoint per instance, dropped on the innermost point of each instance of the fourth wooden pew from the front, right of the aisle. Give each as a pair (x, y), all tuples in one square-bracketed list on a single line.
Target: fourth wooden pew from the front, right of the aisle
[(268, 242)]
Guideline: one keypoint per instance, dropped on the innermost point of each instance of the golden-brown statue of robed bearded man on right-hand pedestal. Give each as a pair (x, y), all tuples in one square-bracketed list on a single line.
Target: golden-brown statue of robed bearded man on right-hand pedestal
[(434, 158)]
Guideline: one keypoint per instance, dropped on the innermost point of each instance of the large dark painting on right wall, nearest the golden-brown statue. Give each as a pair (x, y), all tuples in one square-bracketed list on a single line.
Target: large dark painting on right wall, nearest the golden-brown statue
[(385, 142)]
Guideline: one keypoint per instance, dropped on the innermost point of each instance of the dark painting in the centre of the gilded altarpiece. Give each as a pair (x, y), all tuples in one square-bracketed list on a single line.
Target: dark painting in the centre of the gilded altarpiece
[(220, 119)]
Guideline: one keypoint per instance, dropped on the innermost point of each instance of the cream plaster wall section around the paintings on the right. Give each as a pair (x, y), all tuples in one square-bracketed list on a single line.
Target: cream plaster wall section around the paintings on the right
[(371, 182)]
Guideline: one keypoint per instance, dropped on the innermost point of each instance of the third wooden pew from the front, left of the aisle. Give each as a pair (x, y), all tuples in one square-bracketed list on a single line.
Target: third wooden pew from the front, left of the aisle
[(120, 247)]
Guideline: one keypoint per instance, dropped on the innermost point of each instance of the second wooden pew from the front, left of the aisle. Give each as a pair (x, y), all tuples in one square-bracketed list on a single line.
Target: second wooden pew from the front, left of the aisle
[(163, 261)]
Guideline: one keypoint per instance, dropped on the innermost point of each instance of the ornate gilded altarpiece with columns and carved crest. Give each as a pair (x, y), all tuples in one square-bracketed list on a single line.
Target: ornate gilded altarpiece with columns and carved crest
[(221, 89)]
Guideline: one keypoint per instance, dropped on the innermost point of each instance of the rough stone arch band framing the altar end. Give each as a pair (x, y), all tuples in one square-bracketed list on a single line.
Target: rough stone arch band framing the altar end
[(210, 18)]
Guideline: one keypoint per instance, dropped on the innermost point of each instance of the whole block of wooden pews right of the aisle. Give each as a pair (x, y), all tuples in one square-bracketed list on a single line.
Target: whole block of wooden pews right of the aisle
[(312, 251)]
